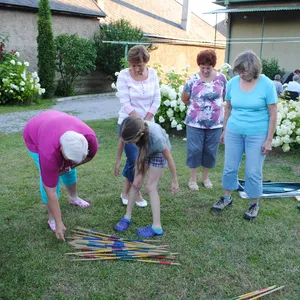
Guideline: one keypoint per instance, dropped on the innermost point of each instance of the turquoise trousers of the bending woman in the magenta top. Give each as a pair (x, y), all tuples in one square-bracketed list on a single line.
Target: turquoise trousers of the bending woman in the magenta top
[(68, 178)]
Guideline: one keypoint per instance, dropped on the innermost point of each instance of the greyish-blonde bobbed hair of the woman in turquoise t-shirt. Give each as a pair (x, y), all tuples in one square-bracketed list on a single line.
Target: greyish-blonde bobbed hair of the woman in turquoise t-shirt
[(249, 62)]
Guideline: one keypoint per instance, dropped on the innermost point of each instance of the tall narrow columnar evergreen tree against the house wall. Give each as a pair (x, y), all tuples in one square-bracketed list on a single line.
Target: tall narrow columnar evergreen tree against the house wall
[(46, 50)]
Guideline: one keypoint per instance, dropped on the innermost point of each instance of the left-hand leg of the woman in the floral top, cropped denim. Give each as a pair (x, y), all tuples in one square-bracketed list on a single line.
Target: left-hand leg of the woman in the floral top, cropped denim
[(194, 144)]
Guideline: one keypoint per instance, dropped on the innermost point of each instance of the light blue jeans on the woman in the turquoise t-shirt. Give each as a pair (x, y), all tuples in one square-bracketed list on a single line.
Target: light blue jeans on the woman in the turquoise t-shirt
[(235, 145)]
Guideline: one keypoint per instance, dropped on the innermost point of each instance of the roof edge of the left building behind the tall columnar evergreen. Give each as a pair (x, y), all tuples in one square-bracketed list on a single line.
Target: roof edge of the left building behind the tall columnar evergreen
[(79, 7)]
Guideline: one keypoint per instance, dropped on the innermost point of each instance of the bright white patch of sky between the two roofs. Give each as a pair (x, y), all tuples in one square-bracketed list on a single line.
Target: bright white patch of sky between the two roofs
[(201, 6)]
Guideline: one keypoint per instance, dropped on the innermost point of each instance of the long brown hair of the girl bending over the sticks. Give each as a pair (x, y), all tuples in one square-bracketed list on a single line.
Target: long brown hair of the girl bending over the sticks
[(131, 129)]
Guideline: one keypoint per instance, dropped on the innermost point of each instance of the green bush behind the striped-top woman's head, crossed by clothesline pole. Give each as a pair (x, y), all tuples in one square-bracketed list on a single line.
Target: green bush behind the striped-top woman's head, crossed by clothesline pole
[(109, 56)]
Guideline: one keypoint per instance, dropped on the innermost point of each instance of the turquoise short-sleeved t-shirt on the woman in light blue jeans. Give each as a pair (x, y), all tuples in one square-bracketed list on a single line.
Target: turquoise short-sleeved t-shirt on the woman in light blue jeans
[(249, 114)]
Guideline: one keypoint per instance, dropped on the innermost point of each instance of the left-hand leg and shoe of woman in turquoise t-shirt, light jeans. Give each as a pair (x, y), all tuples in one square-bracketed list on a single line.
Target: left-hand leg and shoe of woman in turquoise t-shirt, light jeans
[(234, 149)]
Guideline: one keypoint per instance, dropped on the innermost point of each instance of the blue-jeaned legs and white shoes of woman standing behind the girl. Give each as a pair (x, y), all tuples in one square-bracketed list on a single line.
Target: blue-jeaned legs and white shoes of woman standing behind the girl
[(131, 152)]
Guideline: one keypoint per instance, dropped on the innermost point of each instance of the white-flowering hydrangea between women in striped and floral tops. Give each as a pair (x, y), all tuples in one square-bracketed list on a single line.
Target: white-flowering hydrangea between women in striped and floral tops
[(172, 111)]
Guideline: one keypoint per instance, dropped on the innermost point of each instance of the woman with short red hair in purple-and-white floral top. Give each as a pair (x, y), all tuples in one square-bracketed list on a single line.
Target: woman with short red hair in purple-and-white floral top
[(204, 94)]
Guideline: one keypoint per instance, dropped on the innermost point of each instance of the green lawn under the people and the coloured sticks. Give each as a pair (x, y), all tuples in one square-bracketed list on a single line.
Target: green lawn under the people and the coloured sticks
[(222, 255)]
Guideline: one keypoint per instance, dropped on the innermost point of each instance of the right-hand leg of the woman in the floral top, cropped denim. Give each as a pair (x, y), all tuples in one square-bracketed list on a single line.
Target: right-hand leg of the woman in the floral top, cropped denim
[(209, 155)]
